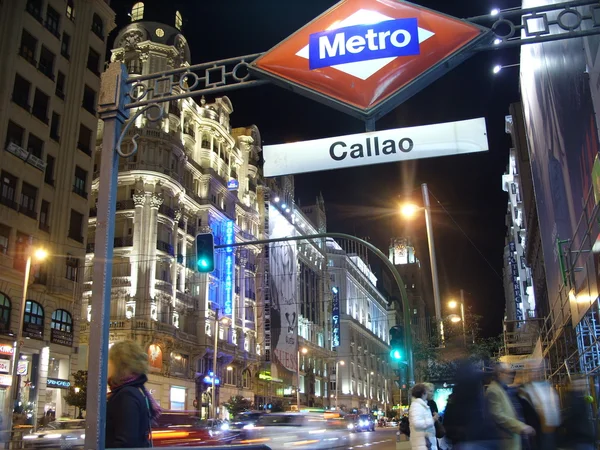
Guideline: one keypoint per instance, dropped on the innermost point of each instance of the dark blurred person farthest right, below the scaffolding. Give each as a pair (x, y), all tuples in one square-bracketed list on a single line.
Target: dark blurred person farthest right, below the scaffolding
[(578, 424)]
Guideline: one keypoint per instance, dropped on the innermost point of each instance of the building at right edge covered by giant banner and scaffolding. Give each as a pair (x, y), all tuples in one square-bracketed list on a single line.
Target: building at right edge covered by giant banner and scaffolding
[(561, 102)]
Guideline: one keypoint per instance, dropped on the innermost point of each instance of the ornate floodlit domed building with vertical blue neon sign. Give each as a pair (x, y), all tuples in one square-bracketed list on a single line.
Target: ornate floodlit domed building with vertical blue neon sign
[(192, 173)]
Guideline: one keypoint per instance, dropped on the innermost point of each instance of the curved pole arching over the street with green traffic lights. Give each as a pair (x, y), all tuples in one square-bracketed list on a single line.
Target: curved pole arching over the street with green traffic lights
[(384, 259)]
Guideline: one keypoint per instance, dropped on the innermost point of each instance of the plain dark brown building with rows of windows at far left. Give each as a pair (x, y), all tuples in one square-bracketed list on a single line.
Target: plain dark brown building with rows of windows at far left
[(52, 53)]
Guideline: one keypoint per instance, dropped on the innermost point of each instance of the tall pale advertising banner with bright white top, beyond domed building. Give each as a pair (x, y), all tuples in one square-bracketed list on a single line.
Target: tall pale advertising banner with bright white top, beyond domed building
[(284, 307)]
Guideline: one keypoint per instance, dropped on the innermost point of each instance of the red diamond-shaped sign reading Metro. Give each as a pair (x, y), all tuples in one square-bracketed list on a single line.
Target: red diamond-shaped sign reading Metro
[(367, 56)]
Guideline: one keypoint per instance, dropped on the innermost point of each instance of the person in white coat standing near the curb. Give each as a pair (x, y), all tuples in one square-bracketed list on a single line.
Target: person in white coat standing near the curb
[(422, 421)]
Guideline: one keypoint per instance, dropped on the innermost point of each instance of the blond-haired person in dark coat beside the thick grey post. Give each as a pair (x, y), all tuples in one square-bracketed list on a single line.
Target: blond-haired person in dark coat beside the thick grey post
[(130, 409)]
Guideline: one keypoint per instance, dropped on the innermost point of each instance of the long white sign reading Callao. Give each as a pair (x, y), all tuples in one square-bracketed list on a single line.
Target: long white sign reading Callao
[(377, 147)]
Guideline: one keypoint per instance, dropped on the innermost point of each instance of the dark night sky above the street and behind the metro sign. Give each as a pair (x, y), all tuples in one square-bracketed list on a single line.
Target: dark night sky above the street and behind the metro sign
[(363, 201)]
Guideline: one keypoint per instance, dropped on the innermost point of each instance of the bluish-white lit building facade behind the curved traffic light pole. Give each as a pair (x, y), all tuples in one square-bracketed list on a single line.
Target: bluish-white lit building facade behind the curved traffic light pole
[(367, 377)]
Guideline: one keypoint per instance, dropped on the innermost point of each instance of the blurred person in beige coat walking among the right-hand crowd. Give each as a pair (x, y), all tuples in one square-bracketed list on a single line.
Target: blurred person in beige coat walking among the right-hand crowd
[(503, 411)]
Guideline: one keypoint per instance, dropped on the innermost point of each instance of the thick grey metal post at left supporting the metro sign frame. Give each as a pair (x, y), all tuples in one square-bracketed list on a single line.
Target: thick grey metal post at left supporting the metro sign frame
[(112, 112)]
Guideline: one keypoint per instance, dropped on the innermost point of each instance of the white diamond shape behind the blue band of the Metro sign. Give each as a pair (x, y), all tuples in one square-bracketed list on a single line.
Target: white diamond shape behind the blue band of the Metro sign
[(364, 69)]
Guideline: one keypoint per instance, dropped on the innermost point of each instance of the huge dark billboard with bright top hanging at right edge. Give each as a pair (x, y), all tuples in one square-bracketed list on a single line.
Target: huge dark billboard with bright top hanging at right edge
[(563, 142)]
